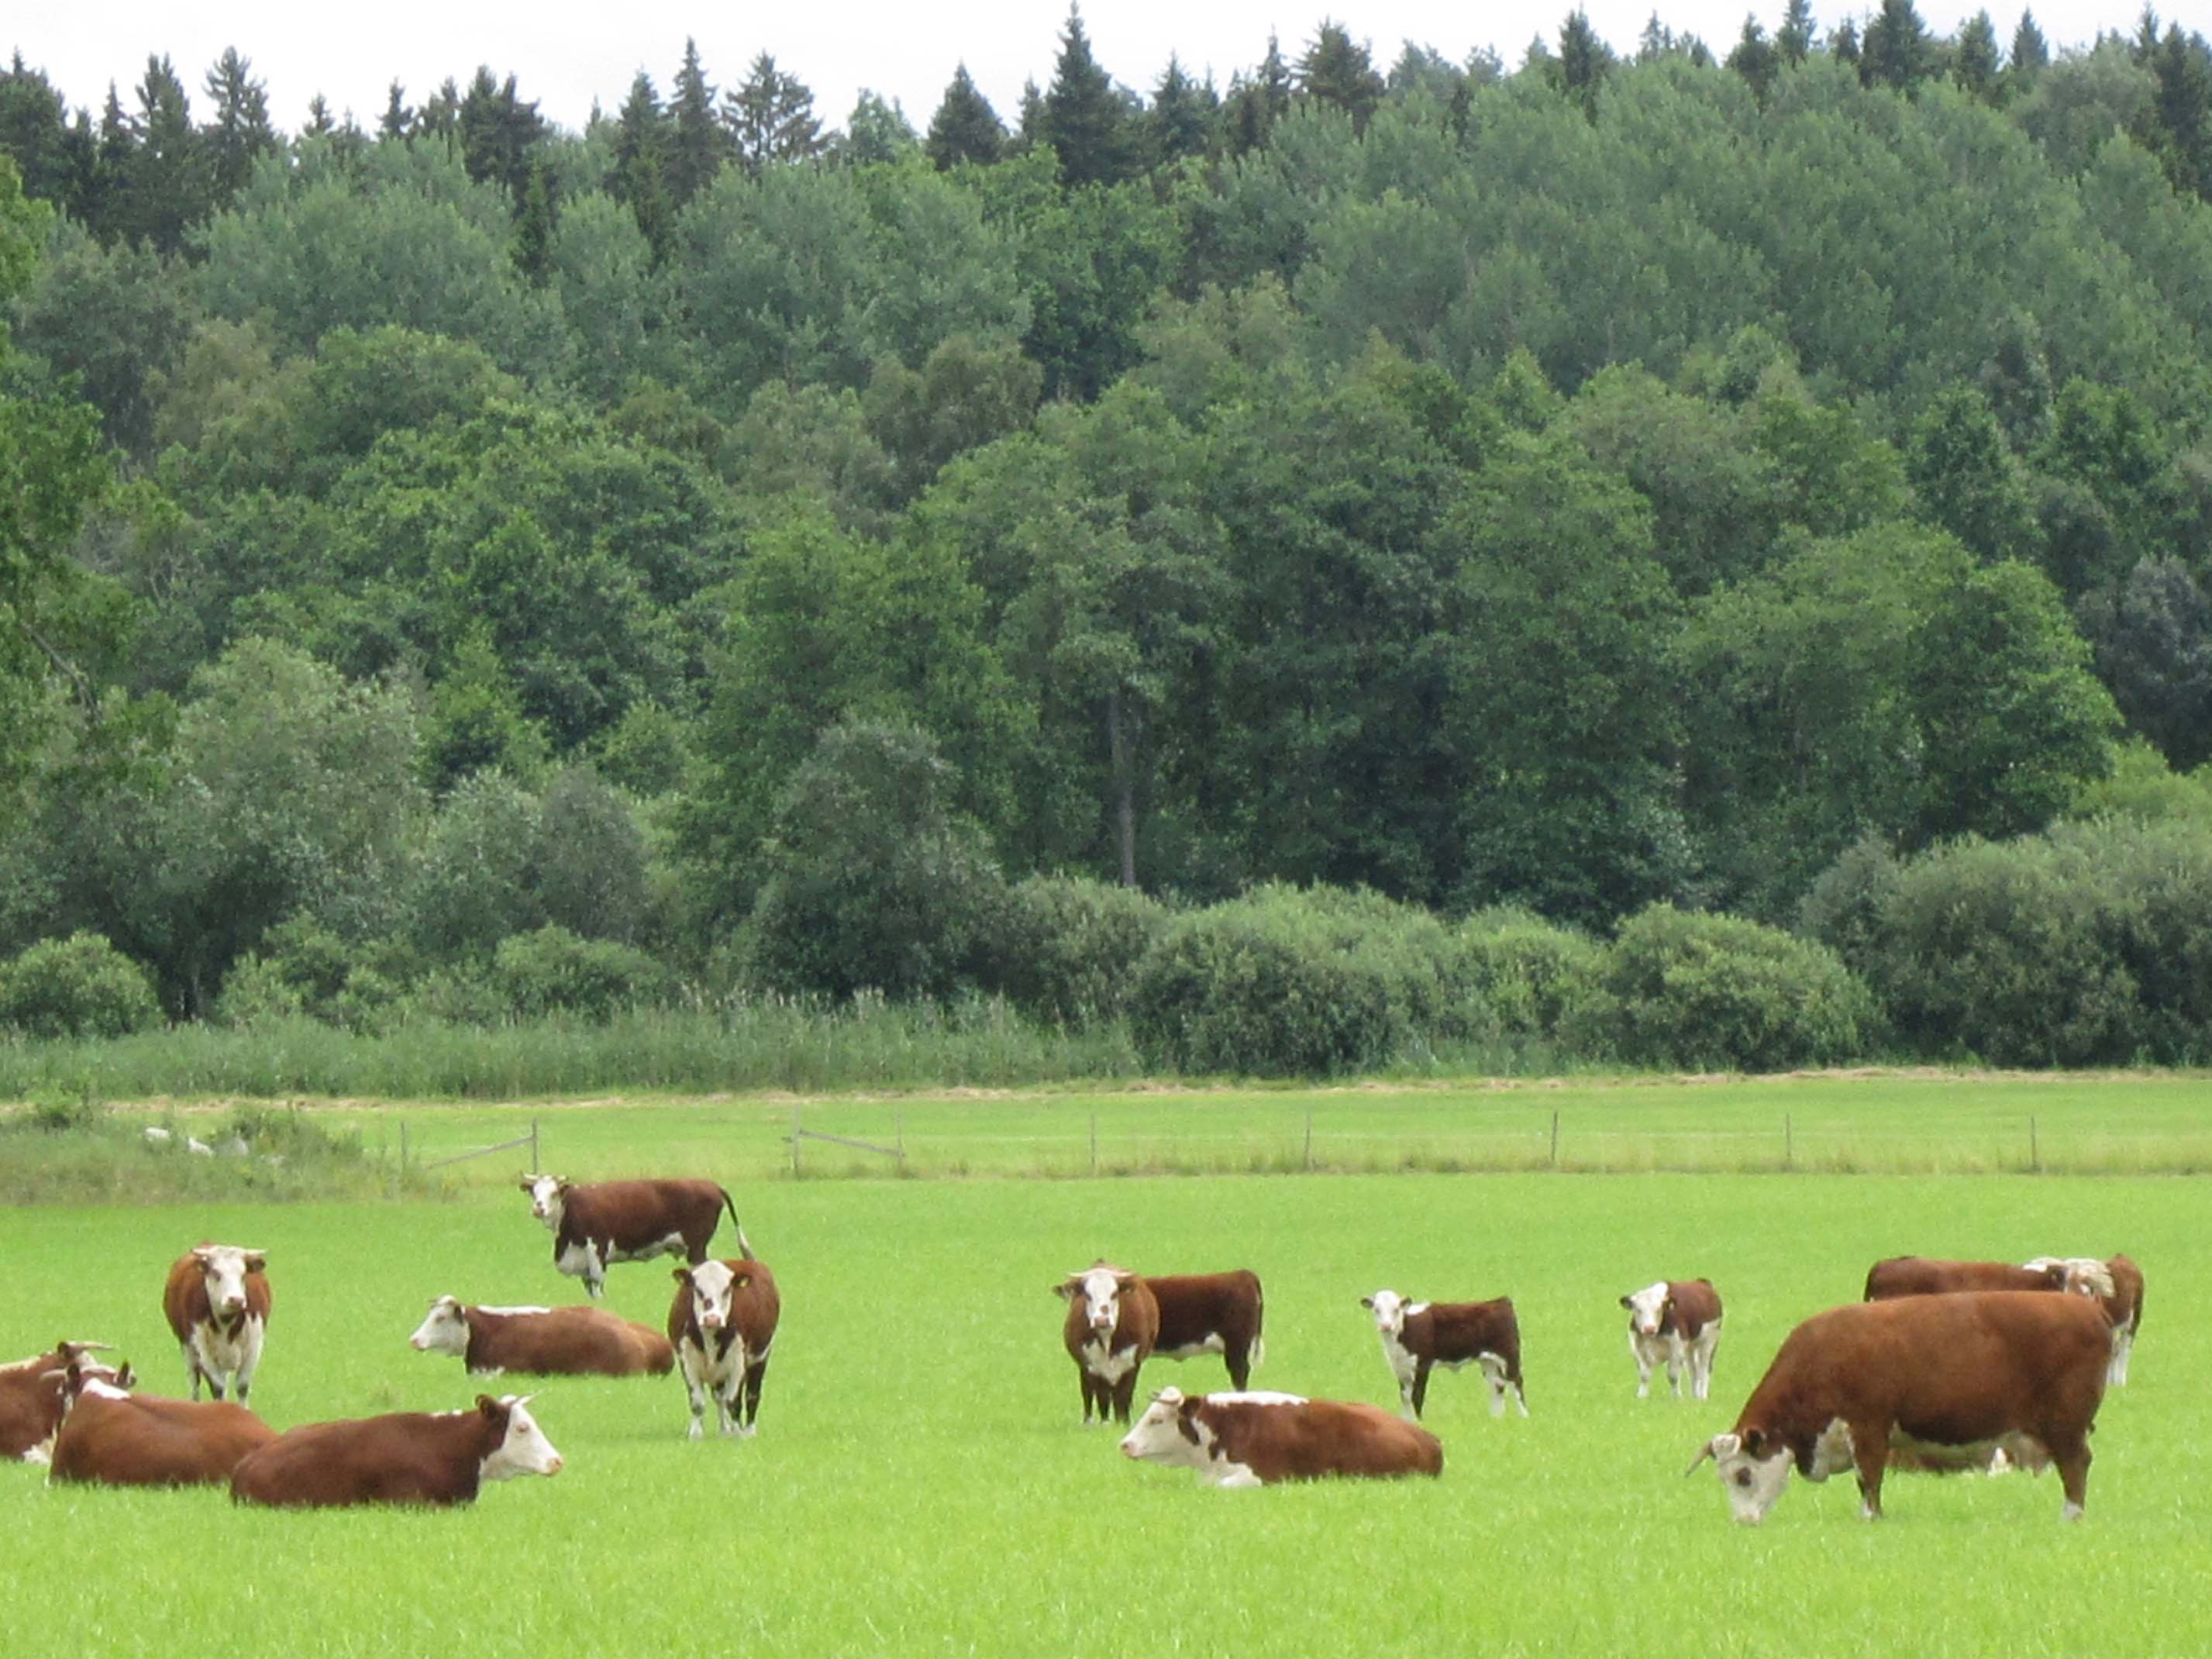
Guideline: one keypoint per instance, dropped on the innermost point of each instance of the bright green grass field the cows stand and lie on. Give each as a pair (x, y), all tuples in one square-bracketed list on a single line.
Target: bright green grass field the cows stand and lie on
[(921, 1481)]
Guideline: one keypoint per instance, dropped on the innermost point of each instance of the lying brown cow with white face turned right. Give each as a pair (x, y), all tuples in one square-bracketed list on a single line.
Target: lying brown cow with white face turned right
[(404, 1459)]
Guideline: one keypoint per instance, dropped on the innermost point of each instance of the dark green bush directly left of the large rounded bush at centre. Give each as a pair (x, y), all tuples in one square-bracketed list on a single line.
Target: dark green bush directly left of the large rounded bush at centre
[(1067, 948)]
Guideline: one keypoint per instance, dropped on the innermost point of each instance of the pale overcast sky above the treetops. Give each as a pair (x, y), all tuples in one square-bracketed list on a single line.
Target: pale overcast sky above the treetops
[(565, 59)]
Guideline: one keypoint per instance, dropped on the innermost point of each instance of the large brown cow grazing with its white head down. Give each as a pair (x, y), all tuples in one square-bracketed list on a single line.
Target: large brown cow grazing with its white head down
[(1928, 1381)]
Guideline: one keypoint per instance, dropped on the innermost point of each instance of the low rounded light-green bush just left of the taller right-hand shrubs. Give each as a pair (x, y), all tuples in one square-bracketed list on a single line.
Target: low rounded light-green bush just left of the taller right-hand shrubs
[(1718, 994)]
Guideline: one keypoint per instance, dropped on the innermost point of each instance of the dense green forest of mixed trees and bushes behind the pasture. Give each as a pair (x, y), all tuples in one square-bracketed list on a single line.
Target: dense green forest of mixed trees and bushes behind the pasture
[(1695, 554)]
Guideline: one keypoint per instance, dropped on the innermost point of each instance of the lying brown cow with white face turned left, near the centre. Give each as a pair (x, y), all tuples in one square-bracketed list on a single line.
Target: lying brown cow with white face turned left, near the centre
[(1262, 1439)]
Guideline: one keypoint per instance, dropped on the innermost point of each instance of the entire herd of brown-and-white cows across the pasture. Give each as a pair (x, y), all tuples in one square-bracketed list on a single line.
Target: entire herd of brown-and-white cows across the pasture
[(1943, 1366)]
